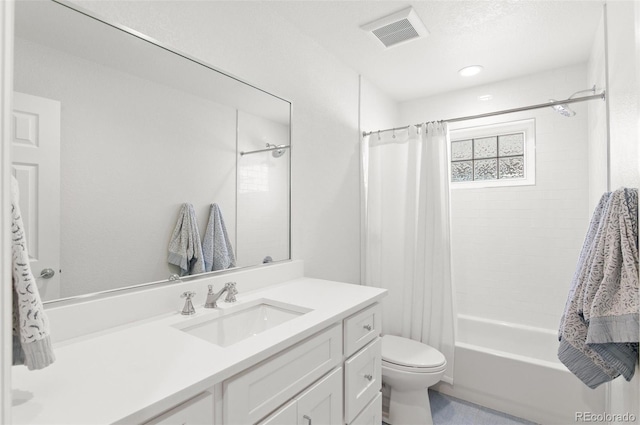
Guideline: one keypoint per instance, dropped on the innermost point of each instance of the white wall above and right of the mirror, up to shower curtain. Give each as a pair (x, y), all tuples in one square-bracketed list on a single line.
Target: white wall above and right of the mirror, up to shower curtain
[(269, 52)]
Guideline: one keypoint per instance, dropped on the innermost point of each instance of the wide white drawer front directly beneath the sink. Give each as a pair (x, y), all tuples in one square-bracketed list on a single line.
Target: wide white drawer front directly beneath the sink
[(251, 395)]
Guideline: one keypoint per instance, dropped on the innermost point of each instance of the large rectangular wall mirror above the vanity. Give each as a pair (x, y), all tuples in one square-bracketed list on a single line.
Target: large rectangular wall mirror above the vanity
[(113, 133)]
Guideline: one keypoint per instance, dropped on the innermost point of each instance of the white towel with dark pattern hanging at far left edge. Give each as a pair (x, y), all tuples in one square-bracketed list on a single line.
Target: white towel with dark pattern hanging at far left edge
[(31, 340)]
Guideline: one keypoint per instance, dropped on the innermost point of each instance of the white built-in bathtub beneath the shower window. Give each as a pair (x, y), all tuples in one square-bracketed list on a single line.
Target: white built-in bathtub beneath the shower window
[(514, 369)]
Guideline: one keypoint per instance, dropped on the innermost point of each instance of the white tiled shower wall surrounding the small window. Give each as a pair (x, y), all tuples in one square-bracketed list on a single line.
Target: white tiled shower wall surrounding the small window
[(514, 249)]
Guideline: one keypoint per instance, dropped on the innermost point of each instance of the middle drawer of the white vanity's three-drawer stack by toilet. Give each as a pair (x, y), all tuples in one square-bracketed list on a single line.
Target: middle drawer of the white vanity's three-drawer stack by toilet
[(362, 379)]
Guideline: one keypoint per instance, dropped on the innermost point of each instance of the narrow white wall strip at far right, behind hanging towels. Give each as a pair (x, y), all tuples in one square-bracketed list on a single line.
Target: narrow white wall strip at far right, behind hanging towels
[(623, 45)]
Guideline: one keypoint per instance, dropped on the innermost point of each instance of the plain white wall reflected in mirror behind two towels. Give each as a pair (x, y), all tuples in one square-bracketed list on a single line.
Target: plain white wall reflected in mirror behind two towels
[(122, 183)]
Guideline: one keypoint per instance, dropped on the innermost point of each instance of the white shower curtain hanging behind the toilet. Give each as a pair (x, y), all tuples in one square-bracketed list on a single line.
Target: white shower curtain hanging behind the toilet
[(407, 233)]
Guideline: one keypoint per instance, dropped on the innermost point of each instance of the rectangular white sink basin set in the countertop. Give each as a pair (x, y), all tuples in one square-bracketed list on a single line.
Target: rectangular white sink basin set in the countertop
[(237, 325)]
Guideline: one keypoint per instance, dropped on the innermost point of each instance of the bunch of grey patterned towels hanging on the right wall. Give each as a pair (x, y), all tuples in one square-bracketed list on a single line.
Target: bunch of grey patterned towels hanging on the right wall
[(599, 328)]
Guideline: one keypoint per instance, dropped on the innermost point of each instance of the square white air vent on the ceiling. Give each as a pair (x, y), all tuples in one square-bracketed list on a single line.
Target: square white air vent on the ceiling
[(397, 28)]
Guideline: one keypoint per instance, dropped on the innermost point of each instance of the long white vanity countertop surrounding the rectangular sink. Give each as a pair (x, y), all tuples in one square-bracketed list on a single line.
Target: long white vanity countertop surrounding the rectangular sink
[(133, 372)]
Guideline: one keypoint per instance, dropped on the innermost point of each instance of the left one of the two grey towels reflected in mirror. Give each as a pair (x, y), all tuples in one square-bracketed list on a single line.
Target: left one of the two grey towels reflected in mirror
[(185, 248)]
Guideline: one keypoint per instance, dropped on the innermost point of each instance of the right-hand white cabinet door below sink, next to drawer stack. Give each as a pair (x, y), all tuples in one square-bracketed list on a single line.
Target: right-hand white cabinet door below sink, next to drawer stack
[(322, 403)]
